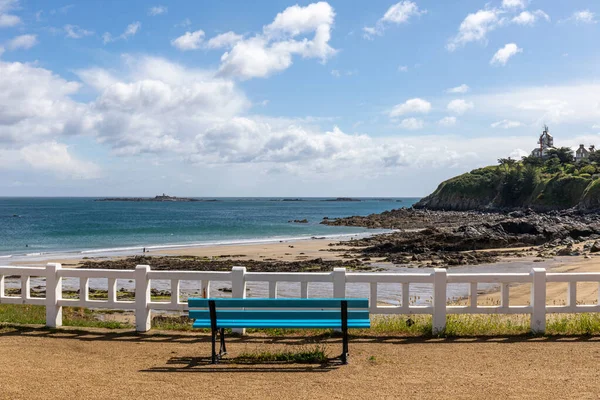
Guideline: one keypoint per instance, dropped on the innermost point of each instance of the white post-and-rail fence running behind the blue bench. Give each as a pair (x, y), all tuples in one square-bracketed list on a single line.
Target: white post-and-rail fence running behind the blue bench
[(339, 278)]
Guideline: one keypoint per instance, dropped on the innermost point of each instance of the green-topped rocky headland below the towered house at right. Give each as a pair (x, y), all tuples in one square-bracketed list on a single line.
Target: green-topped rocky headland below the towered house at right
[(517, 186)]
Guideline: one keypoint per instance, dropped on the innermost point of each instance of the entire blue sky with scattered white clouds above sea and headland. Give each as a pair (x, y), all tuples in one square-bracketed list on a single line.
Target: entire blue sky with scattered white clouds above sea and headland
[(278, 98)]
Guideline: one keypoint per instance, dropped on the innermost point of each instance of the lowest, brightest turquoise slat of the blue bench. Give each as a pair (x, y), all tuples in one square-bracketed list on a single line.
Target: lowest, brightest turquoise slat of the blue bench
[(306, 324)]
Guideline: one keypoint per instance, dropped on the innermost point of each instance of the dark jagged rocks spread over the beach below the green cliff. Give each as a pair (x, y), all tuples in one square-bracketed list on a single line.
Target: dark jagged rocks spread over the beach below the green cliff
[(447, 238)]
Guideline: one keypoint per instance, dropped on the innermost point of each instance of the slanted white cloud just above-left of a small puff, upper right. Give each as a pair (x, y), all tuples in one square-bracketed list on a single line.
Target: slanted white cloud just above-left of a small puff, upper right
[(475, 28)]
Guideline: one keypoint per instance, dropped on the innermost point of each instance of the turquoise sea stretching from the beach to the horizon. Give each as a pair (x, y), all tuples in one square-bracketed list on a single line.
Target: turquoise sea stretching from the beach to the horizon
[(53, 225)]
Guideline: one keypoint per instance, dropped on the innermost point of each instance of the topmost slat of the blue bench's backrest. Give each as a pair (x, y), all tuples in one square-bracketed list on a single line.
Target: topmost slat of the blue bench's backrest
[(278, 303)]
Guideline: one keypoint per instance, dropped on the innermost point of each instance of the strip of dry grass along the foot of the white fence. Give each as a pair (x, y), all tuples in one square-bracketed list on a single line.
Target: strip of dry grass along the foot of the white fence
[(401, 325)]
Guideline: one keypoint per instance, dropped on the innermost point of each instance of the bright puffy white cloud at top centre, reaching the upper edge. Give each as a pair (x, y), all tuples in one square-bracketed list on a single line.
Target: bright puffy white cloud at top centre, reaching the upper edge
[(272, 51)]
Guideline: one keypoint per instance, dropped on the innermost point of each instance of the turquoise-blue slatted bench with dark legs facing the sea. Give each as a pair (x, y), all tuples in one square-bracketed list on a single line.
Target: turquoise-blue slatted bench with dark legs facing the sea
[(219, 314)]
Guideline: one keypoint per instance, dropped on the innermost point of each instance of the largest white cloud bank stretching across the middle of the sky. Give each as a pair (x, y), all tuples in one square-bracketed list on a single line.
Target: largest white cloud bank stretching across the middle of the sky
[(165, 108)]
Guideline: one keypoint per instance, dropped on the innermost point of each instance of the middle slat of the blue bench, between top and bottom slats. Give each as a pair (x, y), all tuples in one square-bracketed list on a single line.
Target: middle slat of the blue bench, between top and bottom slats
[(285, 314)]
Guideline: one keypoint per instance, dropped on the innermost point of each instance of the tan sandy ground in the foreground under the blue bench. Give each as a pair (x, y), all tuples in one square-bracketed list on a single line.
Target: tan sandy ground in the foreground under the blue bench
[(98, 364)]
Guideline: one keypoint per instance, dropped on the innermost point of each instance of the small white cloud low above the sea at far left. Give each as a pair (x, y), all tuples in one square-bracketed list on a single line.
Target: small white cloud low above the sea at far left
[(55, 157)]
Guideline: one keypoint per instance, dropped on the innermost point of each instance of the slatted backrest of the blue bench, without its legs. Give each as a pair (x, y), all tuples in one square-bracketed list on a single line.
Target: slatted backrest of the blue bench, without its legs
[(279, 309)]
